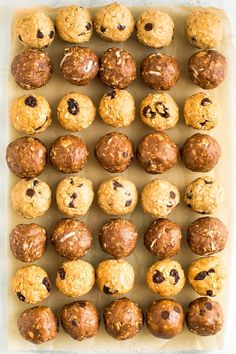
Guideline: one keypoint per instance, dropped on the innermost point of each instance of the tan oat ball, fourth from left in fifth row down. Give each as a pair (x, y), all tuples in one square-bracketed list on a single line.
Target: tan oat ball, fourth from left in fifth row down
[(159, 198)]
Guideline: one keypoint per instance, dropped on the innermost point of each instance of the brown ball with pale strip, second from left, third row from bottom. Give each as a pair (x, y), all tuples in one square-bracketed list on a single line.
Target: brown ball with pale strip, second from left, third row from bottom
[(71, 238)]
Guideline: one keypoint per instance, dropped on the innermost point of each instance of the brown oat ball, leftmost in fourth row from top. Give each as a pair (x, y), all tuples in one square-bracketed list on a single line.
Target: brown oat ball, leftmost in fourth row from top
[(26, 157)]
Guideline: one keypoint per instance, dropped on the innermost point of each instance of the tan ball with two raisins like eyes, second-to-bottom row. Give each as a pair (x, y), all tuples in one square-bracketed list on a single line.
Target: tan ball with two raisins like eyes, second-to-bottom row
[(166, 277)]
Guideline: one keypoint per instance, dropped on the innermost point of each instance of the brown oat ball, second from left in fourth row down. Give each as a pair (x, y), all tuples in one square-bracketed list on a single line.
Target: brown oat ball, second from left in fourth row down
[(68, 154)]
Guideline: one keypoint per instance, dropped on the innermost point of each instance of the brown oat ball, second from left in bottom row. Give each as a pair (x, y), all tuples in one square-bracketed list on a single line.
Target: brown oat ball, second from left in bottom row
[(80, 319)]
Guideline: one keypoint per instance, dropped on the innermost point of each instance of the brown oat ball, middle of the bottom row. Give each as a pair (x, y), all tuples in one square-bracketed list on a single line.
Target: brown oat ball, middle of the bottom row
[(123, 319)]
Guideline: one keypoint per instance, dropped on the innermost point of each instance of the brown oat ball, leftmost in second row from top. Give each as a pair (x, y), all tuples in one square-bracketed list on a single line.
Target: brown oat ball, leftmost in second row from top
[(31, 69)]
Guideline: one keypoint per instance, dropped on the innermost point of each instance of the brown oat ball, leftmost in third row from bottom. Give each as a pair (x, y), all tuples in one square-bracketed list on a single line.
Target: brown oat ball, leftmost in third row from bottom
[(28, 242)]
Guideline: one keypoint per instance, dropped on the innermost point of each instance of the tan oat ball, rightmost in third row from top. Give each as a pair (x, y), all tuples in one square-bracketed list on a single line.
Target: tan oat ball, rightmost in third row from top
[(201, 111)]
